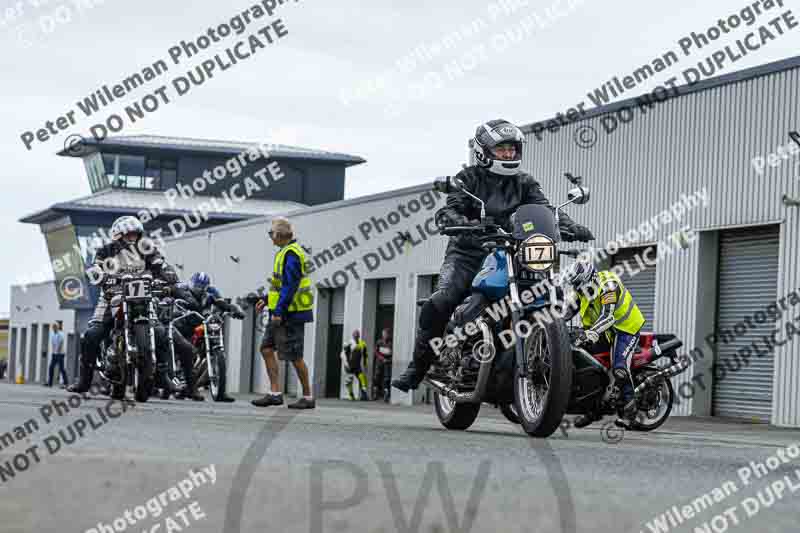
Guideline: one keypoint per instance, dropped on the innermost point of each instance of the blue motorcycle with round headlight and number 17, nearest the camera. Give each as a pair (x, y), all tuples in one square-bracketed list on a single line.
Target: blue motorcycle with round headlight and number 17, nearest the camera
[(533, 375)]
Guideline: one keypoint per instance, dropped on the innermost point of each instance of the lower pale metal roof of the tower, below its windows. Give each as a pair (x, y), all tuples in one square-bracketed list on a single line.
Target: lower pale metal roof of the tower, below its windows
[(131, 201)]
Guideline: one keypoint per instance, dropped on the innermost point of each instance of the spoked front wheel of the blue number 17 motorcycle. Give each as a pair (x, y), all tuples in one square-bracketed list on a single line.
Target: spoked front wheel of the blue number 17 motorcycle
[(541, 397)]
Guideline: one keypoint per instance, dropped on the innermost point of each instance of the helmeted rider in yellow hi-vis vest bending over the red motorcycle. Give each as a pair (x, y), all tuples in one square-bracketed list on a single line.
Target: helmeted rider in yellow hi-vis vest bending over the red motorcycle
[(607, 311)]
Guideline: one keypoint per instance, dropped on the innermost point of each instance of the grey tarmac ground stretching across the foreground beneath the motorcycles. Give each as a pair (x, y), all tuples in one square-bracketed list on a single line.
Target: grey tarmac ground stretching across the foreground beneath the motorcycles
[(370, 467)]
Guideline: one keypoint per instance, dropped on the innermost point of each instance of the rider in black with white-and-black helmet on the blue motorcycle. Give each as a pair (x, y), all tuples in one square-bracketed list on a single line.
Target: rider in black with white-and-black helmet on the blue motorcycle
[(497, 179)]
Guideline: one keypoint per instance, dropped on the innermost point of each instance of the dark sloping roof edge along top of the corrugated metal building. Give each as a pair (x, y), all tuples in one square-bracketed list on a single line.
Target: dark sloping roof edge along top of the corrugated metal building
[(683, 90)]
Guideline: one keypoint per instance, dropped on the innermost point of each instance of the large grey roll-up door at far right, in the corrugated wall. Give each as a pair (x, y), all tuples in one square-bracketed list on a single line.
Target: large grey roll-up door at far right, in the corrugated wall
[(748, 283)]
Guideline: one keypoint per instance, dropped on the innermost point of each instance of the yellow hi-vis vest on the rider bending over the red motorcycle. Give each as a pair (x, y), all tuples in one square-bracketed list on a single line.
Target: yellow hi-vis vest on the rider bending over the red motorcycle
[(629, 318)]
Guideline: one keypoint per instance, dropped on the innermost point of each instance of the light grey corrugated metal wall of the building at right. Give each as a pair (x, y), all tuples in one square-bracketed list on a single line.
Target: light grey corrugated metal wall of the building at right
[(704, 140)]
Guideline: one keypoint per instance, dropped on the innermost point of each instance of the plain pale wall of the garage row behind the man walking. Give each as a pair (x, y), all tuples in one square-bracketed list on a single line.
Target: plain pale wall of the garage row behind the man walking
[(322, 228)]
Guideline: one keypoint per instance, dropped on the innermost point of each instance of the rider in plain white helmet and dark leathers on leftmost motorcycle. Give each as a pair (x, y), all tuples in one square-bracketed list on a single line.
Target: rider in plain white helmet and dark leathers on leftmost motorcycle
[(128, 252)]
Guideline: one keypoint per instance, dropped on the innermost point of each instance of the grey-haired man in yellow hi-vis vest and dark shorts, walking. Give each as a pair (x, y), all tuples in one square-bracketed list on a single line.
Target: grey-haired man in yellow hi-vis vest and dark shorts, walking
[(290, 301)]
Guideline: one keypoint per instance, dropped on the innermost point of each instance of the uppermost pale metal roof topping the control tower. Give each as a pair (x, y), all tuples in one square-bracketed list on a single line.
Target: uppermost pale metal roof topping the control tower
[(186, 144)]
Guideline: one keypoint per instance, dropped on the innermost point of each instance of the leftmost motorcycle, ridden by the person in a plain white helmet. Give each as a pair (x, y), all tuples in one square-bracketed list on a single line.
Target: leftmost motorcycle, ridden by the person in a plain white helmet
[(128, 355)]
